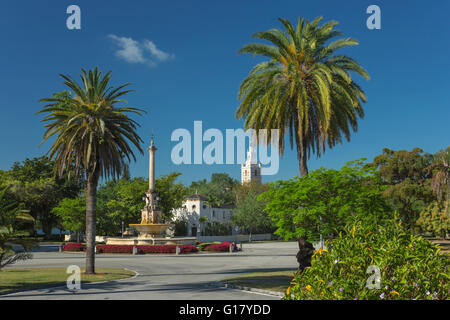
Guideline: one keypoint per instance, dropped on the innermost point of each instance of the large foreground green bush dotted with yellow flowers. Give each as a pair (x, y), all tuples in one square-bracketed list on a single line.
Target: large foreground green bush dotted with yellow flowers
[(409, 266)]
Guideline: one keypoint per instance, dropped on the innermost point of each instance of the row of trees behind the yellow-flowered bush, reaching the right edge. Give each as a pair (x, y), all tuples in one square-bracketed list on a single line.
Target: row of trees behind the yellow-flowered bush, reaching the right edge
[(413, 184)]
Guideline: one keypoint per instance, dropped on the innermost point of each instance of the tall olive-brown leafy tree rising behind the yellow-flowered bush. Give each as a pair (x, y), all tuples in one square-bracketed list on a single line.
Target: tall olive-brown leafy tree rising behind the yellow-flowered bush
[(406, 175)]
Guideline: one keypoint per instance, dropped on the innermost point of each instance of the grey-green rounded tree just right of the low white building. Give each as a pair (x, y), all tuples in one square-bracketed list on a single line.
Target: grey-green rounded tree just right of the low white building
[(249, 215)]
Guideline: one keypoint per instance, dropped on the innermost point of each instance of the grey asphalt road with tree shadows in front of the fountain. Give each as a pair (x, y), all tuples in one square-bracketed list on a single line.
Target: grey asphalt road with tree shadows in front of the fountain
[(165, 277)]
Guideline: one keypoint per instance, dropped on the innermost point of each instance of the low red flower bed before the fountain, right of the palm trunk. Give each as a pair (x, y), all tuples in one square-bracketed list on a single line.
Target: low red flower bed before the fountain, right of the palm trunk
[(143, 249)]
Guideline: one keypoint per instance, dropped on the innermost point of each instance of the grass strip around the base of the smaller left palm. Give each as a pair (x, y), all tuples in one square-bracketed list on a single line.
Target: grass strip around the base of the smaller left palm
[(12, 280)]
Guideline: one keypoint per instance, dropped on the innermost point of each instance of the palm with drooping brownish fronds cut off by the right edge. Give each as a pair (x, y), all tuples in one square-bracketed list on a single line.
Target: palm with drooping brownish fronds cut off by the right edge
[(441, 175)]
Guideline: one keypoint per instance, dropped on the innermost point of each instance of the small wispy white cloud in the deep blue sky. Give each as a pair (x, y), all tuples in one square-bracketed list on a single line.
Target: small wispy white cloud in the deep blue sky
[(144, 52)]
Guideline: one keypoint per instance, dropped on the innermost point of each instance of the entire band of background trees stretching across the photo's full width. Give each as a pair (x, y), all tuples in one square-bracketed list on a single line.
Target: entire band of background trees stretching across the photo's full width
[(413, 183)]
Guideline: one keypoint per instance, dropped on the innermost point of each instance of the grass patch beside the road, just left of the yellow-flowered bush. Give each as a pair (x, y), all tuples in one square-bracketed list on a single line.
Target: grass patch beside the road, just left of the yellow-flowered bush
[(273, 280)]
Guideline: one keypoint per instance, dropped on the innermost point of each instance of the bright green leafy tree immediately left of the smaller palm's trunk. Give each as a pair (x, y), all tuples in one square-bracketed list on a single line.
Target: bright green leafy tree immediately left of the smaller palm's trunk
[(72, 213)]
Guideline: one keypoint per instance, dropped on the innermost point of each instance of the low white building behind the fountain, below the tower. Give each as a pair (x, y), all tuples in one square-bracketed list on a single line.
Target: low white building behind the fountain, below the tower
[(195, 207)]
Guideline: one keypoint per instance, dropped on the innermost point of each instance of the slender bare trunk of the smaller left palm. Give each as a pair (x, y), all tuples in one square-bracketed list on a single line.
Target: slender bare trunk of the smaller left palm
[(91, 205)]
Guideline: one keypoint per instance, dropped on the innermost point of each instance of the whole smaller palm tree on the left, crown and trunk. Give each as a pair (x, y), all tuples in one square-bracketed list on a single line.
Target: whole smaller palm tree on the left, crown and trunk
[(93, 137)]
